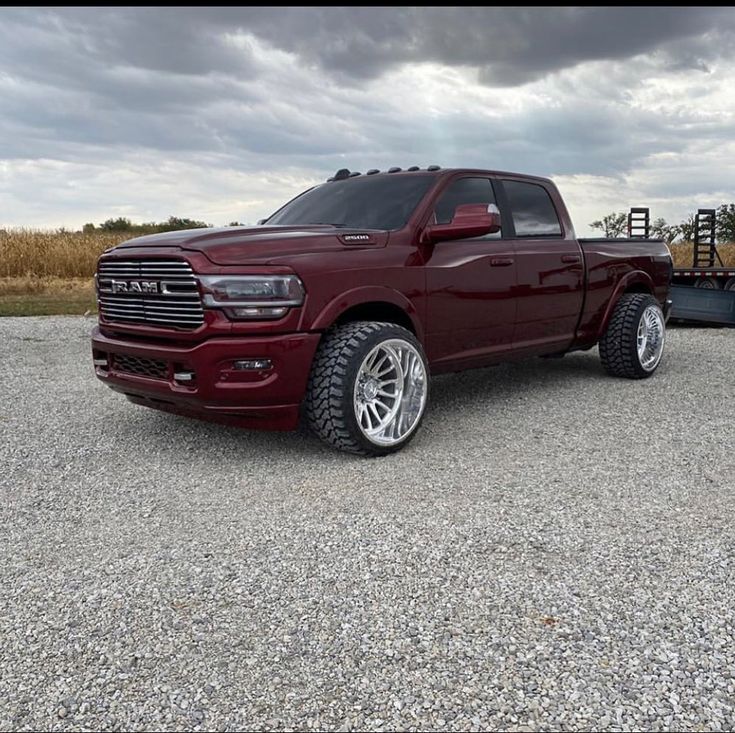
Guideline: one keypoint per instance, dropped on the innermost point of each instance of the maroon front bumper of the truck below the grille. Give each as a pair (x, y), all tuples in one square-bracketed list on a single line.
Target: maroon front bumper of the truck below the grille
[(266, 398)]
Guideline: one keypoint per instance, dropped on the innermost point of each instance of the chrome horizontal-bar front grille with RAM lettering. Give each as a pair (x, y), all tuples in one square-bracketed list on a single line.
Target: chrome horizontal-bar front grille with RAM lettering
[(156, 292)]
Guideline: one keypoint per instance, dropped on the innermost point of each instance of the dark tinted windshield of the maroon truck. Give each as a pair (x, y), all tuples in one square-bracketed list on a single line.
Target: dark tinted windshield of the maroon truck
[(374, 202)]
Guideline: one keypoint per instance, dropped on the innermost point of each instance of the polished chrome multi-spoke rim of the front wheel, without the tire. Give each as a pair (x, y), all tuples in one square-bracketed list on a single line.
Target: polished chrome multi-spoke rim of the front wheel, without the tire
[(390, 392)]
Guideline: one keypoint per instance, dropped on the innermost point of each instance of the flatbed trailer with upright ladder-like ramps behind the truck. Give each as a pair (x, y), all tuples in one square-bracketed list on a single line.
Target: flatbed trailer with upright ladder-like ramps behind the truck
[(704, 292)]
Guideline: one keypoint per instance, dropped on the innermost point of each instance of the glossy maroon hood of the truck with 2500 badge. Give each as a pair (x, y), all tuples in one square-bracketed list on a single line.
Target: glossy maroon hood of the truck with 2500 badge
[(261, 244)]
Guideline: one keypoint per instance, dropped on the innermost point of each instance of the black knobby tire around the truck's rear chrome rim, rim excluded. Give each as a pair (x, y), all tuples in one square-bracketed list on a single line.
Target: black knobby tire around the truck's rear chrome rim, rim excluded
[(619, 343)]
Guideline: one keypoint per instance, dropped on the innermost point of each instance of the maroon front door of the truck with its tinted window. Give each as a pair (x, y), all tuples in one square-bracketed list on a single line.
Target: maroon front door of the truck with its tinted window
[(469, 283)]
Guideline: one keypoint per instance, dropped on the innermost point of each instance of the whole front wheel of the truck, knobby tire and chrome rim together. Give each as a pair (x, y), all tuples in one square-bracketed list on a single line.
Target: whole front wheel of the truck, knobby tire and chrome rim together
[(368, 388)]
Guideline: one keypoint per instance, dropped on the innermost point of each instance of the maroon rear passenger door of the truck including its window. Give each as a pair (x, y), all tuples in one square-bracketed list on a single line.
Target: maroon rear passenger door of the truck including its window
[(550, 269)]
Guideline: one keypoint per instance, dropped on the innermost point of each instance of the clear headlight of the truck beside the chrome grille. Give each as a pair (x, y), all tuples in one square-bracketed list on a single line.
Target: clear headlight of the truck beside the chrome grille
[(252, 296)]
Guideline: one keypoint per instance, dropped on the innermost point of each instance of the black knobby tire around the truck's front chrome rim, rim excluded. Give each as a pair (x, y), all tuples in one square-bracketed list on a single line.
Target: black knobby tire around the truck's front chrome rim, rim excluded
[(329, 403)]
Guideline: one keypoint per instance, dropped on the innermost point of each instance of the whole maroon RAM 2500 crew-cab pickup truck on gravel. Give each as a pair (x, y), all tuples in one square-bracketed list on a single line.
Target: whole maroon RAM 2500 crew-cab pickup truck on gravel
[(344, 301)]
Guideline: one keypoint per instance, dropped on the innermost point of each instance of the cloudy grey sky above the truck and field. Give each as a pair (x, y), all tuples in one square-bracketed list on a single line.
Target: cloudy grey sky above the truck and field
[(222, 114)]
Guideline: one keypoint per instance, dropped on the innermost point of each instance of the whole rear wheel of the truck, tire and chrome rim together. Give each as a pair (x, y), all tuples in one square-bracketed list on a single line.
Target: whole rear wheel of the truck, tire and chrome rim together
[(633, 343)]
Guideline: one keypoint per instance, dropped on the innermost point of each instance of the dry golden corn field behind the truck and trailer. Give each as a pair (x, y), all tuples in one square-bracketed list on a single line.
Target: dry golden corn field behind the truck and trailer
[(33, 254)]
